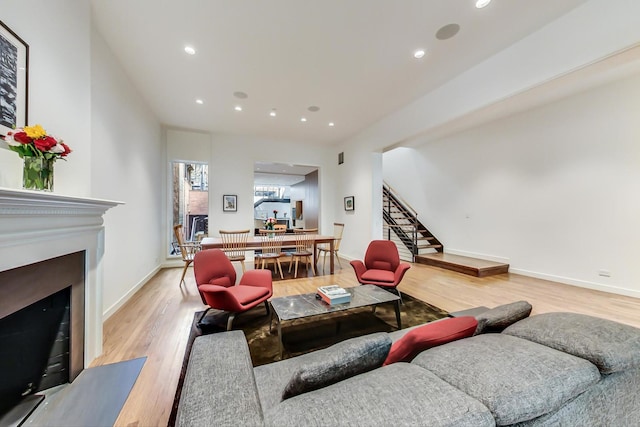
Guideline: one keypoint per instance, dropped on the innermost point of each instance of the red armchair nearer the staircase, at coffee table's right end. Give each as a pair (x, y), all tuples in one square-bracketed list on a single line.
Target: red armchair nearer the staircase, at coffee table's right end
[(381, 266)]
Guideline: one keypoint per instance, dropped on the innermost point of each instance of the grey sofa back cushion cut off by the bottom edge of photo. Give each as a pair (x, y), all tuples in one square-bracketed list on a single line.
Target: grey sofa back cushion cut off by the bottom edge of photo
[(396, 395)]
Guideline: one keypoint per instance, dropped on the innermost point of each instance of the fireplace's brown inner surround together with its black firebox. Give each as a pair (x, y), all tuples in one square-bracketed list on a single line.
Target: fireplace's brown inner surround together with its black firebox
[(41, 327)]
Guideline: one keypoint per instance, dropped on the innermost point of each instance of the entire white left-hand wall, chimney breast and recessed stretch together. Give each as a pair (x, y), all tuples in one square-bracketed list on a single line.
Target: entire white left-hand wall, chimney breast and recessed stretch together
[(78, 93)]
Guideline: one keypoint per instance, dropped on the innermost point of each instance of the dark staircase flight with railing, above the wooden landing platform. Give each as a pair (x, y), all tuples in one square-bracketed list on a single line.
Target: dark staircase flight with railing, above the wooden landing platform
[(402, 226)]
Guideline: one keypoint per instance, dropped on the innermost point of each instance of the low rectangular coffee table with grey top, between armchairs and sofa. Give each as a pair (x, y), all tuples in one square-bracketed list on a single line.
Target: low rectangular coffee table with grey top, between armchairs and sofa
[(302, 306)]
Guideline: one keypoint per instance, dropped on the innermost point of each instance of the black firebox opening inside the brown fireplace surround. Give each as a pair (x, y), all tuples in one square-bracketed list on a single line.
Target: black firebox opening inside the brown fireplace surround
[(34, 348)]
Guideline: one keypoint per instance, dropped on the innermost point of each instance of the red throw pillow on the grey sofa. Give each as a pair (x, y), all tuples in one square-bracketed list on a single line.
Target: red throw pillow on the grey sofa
[(430, 335)]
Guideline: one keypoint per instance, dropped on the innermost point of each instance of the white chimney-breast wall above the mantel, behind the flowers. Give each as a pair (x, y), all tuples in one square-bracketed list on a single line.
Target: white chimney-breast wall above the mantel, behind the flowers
[(58, 35)]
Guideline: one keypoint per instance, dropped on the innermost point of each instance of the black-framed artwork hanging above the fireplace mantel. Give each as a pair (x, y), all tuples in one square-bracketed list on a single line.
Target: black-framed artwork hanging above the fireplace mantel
[(14, 72)]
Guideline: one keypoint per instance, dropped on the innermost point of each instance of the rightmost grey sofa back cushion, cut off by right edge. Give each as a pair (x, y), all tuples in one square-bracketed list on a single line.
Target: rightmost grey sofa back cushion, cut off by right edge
[(609, 345)]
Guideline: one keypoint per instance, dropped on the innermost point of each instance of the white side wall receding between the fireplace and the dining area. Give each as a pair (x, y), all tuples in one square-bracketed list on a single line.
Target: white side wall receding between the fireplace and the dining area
[(126, 165)]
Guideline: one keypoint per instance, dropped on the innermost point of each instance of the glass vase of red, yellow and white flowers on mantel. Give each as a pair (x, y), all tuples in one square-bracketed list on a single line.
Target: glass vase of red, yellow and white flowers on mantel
[(39, 152)]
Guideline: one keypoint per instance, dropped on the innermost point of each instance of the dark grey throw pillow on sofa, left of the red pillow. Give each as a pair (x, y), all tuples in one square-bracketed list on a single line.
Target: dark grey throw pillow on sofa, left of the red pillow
[(338, 362)]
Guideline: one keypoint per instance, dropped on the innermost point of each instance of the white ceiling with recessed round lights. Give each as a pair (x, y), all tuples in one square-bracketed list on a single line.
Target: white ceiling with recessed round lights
[(351, 58)]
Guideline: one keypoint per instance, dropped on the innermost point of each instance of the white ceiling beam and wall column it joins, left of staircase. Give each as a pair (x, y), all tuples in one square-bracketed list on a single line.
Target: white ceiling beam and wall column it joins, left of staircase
[(577, 41)]
